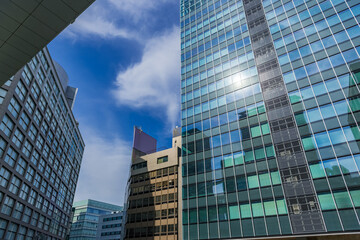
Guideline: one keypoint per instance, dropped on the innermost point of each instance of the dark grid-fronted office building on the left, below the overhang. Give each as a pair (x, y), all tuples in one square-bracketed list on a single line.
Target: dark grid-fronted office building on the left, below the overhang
[(40, 151)]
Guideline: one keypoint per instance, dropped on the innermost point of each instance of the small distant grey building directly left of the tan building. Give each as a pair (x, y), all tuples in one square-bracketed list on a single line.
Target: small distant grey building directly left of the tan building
[(110, 226)]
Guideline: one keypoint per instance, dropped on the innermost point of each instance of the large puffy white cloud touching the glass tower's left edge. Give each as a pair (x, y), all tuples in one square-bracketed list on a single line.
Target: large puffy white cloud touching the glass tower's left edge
[(154, 82)]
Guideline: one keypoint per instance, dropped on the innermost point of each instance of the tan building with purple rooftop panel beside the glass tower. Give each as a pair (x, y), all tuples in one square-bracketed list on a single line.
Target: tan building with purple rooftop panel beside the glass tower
[(153, 193)]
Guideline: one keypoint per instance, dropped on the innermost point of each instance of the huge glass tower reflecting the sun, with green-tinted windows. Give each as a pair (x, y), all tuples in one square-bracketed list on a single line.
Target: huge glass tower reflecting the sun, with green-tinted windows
[(270, 118)]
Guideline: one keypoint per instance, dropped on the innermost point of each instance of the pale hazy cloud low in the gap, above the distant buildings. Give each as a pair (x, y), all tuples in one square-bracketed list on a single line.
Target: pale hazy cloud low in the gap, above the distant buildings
[(104, 169)]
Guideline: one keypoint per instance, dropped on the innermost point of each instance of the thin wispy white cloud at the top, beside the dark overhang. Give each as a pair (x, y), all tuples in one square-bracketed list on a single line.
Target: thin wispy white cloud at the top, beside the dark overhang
[(128, 19)]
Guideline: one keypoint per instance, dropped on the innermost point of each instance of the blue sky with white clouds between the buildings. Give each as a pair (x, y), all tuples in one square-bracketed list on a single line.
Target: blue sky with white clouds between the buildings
[(124, 56)]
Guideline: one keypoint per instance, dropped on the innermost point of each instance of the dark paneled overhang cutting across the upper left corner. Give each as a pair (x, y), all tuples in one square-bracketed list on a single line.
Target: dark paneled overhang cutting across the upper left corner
[(27, 26)]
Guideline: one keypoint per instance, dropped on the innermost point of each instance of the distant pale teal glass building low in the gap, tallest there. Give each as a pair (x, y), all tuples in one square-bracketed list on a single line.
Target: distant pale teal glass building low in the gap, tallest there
[(86, 218)]
